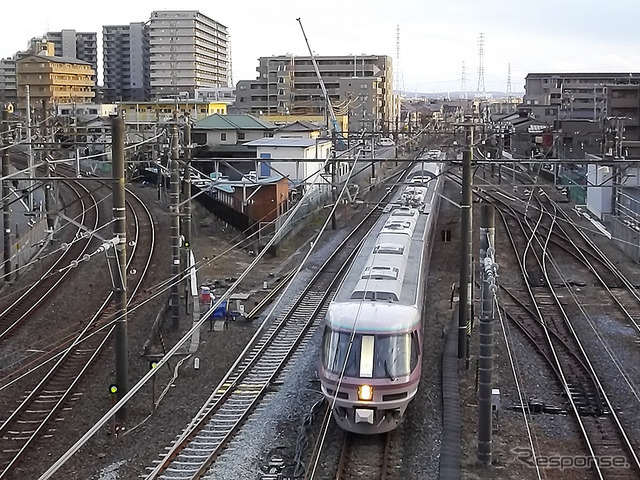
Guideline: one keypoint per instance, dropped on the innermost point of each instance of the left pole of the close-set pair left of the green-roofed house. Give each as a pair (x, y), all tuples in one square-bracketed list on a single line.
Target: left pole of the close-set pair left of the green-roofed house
[(174, 209)]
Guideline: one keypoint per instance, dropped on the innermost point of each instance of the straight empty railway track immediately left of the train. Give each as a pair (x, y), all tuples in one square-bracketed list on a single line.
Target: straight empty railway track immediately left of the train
[(195, 451)]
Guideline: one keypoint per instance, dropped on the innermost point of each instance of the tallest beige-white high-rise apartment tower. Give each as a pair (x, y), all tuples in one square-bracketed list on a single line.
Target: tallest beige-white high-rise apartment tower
[(187, 51)]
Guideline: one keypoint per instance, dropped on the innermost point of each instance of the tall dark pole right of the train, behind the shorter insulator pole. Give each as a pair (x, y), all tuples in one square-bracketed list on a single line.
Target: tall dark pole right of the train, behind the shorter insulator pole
[(464, 306)]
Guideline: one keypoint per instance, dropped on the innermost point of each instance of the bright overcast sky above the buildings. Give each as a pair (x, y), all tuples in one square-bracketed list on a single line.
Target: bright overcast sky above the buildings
[(436, 37)]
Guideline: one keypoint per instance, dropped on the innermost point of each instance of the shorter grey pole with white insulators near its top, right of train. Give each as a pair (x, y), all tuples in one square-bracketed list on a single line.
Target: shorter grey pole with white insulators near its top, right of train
[(485, 357)]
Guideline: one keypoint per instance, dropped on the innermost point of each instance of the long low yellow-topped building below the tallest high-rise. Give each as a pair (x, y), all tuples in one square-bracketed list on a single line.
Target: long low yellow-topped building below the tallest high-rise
[(162, 111)]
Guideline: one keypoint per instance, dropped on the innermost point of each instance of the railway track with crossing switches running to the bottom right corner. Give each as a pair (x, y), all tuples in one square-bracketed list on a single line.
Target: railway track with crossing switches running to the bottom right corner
[(547, 322)]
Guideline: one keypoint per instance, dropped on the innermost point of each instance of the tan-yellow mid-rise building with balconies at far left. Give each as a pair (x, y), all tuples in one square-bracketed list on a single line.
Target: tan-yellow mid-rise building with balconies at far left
[(53, 80)]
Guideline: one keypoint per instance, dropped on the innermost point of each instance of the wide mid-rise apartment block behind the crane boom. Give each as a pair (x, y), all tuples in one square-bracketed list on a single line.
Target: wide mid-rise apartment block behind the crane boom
[(358, 86)]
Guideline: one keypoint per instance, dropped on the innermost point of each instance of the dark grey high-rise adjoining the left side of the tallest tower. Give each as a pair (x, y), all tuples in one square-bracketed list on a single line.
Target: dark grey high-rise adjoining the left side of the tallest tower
[(125, 51)]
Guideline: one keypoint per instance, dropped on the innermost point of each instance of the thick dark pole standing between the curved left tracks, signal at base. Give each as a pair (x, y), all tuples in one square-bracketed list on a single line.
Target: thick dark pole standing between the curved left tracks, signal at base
[(120, 270)]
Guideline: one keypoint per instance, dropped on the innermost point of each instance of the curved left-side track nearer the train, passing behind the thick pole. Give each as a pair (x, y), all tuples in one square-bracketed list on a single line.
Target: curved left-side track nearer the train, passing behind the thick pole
[(52, 397)]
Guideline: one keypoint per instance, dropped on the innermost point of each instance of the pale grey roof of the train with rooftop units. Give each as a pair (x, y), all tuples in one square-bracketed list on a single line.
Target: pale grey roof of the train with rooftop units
[(384, 283)]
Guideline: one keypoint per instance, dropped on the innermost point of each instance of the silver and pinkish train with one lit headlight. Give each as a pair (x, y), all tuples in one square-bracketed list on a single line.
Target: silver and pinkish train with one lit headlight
[(371, 357)]
